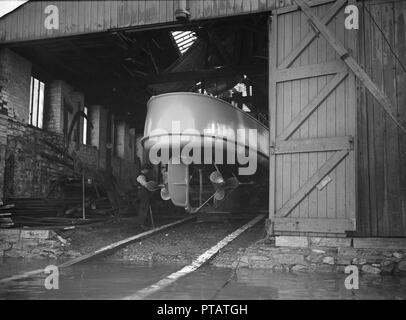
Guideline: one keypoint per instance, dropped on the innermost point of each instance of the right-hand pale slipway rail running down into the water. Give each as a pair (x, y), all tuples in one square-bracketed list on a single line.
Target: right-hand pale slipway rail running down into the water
[(196, 264)]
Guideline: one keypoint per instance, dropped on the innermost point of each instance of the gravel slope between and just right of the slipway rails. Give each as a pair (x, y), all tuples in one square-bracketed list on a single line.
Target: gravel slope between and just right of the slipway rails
[(183, 244)]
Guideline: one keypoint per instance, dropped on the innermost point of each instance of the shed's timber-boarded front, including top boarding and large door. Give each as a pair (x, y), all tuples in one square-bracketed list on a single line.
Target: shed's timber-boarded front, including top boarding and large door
[(337, 99)]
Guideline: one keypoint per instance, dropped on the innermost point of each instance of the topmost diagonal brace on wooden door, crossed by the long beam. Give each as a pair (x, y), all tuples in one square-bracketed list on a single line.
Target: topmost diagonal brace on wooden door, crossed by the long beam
[(305, 42)]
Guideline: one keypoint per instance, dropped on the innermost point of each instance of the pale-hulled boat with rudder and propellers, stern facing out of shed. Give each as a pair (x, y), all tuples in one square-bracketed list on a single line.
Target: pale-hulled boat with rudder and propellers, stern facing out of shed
[(204, 144)]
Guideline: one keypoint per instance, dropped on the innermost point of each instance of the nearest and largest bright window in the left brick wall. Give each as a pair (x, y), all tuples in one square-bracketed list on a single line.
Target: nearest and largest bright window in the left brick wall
[(37, 89)]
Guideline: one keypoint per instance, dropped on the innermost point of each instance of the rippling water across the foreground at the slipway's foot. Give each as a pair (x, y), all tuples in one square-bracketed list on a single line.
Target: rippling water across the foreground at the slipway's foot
[(105, 279)]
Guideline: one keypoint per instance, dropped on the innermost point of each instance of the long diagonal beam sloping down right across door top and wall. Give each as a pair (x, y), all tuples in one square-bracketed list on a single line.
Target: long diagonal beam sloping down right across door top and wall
[(360, 73)]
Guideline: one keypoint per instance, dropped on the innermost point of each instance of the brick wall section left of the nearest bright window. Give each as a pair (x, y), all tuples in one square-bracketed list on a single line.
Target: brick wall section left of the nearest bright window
[(15, 83)]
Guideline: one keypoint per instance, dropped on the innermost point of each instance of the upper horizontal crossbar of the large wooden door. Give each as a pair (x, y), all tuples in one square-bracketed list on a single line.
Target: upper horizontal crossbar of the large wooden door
[(314, 70)]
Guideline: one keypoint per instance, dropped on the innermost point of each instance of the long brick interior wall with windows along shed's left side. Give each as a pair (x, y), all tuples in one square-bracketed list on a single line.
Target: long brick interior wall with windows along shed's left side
[(26, 169)]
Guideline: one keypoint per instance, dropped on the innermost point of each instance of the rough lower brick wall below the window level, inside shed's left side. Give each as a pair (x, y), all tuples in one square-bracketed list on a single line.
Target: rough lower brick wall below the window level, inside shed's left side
[(29, 174)]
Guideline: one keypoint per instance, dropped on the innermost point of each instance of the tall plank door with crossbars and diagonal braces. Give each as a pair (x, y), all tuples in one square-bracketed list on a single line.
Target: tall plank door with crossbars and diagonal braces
[(313, 116)]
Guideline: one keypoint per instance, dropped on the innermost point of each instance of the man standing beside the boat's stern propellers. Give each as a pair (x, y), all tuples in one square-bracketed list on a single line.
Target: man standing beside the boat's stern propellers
[(146, 185)]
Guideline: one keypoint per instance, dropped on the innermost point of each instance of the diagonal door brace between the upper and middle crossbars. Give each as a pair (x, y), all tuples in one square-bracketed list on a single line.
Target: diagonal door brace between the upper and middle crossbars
[(311, 106)]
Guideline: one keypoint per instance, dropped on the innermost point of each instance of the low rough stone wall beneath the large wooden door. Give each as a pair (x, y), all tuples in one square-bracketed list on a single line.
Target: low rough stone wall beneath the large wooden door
[(307, 254)]
